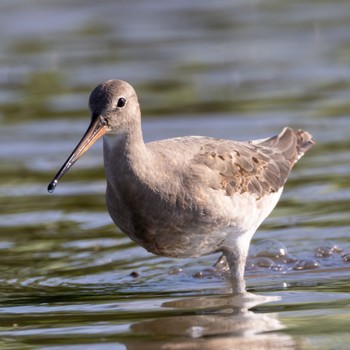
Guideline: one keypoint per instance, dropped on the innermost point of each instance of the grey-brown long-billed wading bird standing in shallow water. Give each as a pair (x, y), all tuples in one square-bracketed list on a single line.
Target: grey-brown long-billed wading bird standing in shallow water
[(186, 196)]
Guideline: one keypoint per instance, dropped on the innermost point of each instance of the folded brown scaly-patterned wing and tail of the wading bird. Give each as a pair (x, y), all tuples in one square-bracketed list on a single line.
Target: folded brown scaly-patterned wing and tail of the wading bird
[(257, 167)]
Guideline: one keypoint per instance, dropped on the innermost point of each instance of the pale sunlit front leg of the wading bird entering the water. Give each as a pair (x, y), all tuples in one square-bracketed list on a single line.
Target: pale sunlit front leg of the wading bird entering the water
[(236, 259)]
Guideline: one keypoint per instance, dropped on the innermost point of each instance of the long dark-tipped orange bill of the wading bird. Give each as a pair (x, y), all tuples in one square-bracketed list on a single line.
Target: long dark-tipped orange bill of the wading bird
[(96, 129)]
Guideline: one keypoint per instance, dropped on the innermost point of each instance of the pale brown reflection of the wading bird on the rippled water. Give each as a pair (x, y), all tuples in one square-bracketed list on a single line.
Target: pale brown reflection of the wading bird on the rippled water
[(220, 322)]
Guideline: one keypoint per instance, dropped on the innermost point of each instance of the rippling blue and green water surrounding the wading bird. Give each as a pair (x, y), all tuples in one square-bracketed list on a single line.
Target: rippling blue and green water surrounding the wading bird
[(234, 69)]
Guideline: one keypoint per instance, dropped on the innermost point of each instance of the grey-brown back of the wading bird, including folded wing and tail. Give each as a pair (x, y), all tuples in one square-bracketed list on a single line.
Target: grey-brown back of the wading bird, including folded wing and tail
[(256, 167)]
